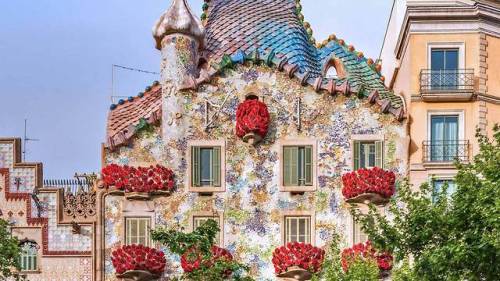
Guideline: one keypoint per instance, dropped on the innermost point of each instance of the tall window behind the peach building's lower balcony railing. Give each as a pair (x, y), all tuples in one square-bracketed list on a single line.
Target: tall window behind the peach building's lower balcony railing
[(444, 138)]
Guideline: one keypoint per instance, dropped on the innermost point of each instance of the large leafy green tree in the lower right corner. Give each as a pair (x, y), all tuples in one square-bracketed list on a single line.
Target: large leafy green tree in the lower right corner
[(452, 238)]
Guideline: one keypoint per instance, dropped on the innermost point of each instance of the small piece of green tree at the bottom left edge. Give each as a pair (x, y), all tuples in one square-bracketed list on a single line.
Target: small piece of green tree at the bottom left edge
[(9, 253)]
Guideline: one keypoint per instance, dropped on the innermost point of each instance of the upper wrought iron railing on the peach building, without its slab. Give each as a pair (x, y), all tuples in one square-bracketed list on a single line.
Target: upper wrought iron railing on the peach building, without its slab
[(457, 80)]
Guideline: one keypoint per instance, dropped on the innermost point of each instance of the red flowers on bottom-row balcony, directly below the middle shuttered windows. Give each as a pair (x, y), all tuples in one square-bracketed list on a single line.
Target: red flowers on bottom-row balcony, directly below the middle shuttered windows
[(305, 256)]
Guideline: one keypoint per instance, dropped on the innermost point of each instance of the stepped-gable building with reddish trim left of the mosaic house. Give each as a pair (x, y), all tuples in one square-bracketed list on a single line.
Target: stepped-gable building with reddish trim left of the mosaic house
[(55, 226)]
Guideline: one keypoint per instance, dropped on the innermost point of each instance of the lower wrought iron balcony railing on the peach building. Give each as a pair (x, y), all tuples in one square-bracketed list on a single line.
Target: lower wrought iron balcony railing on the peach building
[(445, 151)]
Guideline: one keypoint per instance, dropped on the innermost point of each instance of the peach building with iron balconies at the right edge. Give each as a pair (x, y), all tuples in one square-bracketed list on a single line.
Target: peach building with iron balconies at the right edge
[(442, 57)]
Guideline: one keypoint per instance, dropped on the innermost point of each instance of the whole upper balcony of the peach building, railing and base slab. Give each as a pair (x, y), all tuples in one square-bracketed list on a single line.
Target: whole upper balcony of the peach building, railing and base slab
[(447, 85)]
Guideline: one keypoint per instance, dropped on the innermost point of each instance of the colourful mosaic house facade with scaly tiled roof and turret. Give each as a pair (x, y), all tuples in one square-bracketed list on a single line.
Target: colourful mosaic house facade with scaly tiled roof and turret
[(204, 79)]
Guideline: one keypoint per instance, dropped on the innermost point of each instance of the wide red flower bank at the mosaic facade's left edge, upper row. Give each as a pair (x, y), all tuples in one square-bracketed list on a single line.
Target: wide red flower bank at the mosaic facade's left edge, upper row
[(140, 179)]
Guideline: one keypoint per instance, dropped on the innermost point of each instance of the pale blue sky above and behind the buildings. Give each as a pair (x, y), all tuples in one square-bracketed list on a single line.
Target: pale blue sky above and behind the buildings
[(56, 60)]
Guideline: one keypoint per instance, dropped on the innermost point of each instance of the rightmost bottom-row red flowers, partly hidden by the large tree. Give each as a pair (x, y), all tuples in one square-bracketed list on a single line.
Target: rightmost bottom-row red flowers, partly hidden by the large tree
[(365, 251)]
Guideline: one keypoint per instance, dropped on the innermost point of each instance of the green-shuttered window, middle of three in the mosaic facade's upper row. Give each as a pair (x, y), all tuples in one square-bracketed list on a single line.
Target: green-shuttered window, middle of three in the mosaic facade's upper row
[(298, 165)]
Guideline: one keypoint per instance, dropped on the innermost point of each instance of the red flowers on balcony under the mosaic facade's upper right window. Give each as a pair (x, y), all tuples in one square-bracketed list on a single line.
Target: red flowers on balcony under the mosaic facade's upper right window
[(362, 181)]
